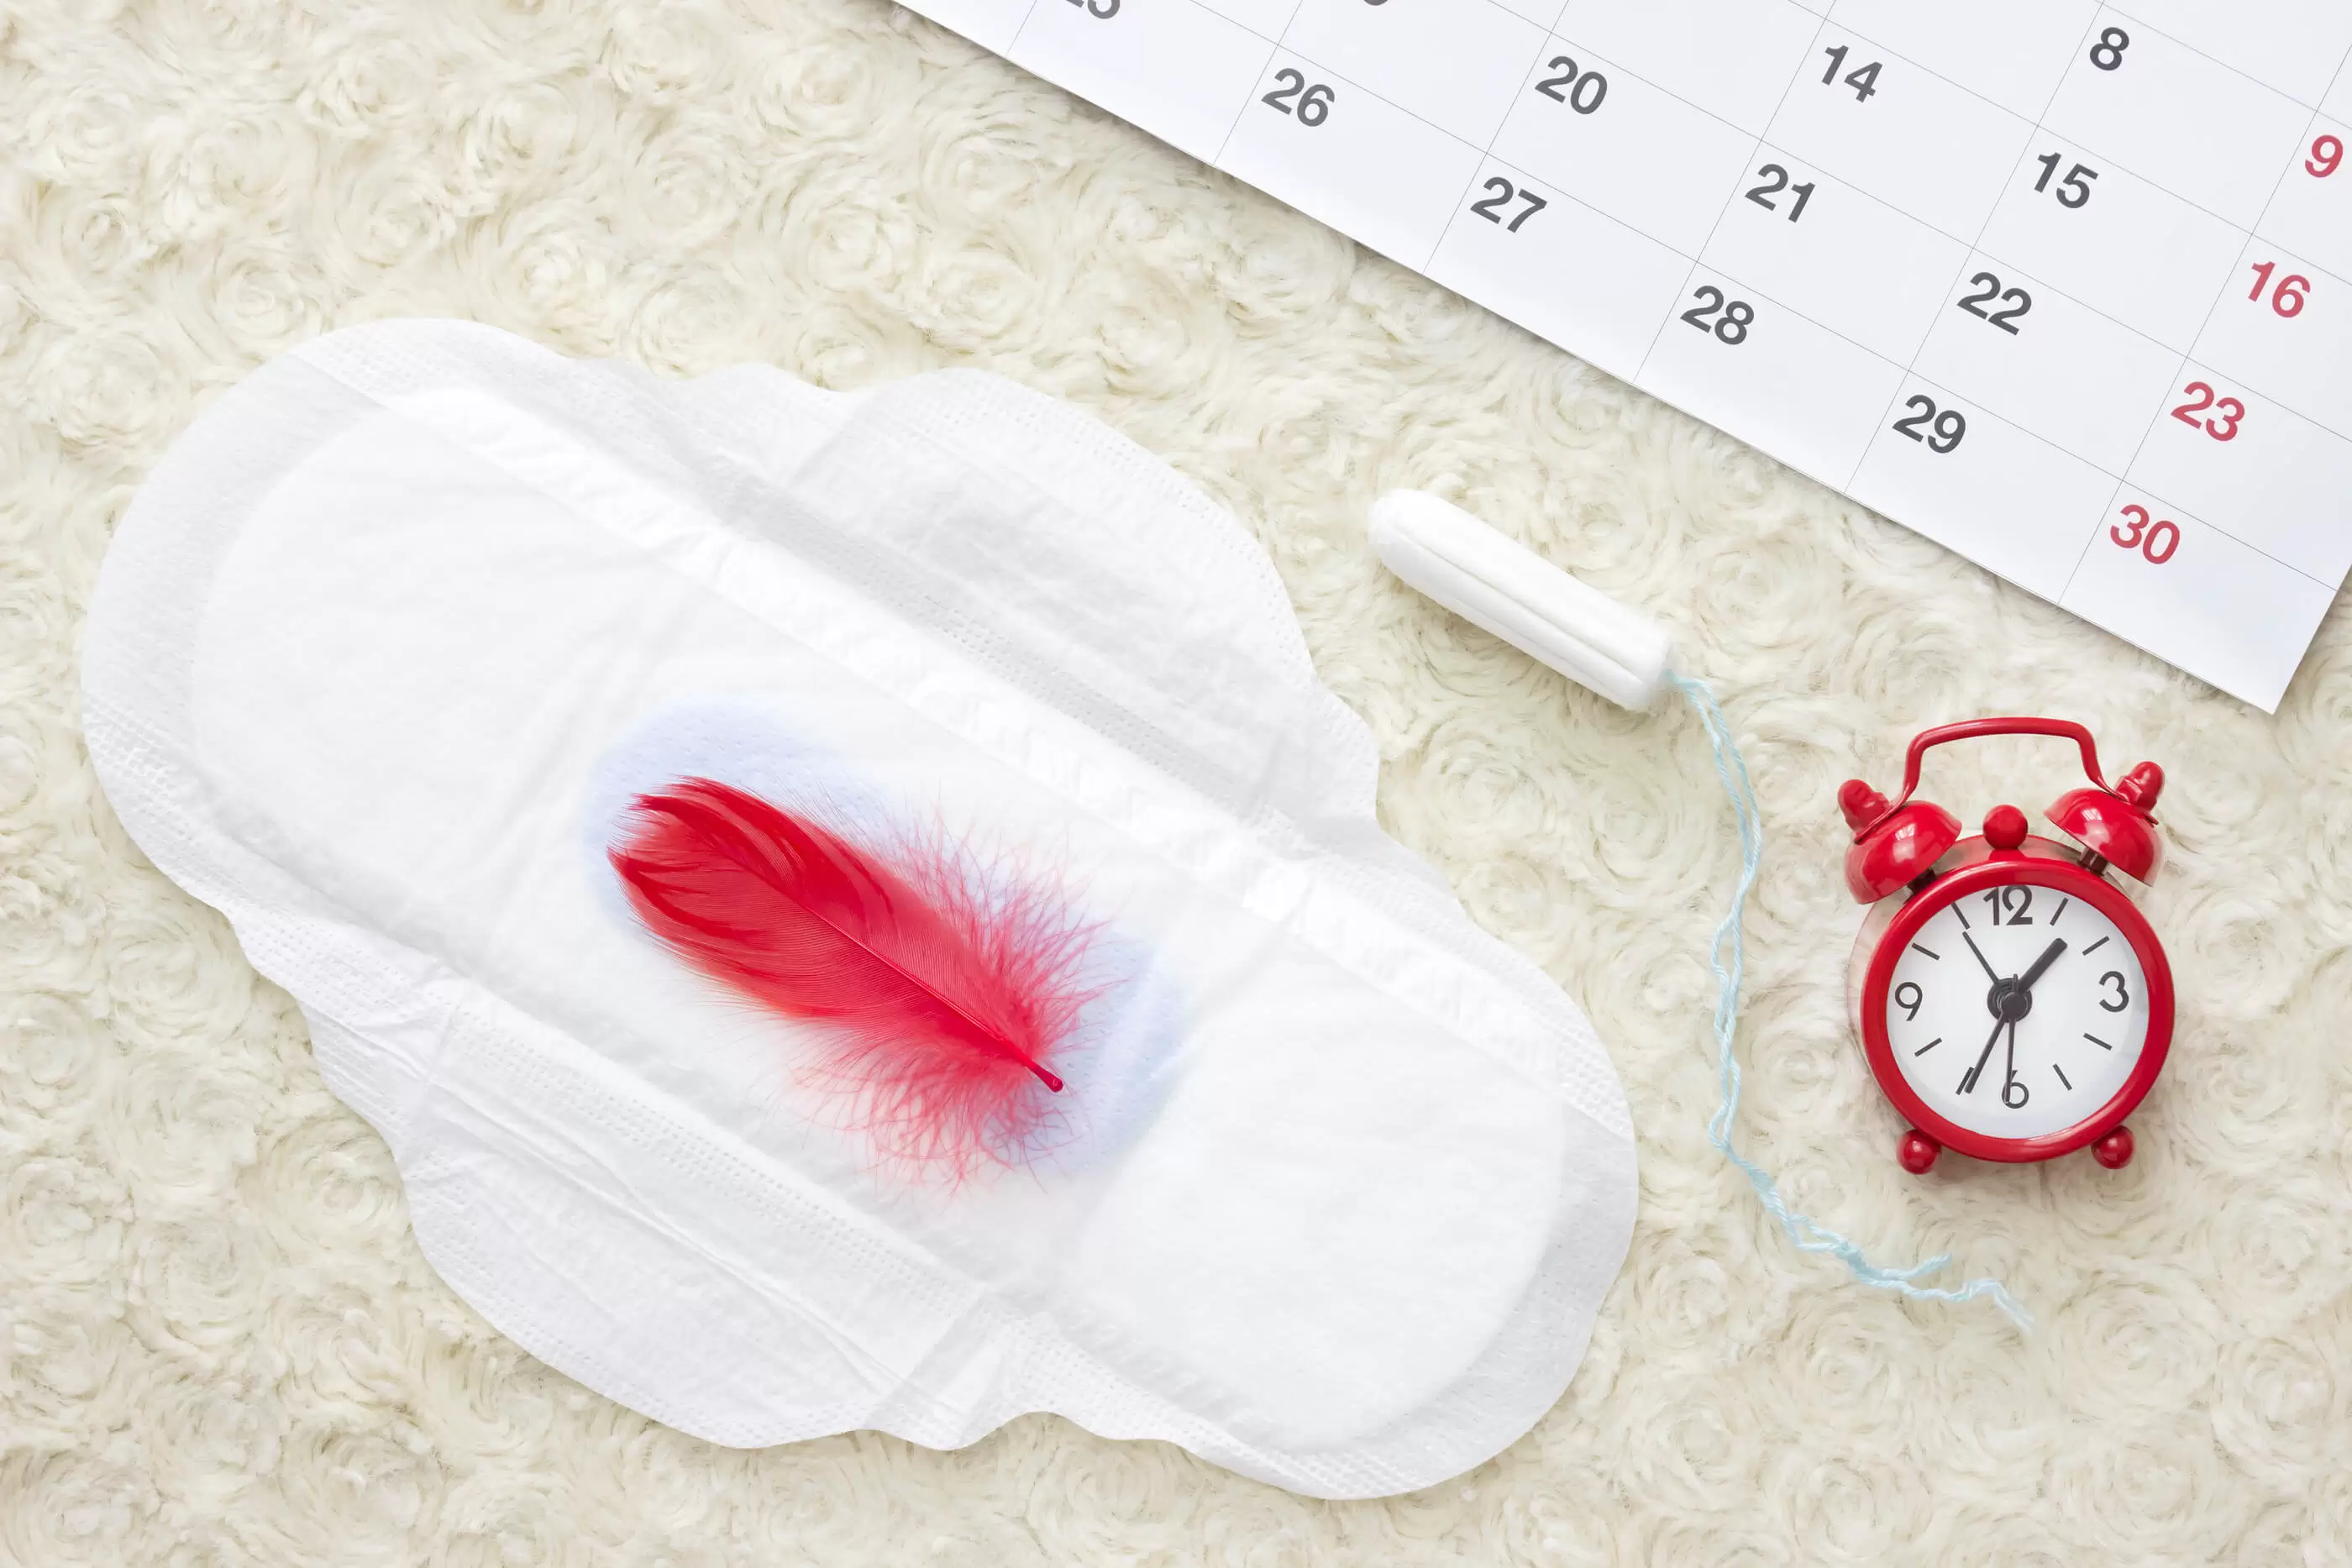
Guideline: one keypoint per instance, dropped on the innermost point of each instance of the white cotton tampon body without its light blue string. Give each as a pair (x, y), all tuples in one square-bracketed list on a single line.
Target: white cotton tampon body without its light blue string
[(1518, 596)]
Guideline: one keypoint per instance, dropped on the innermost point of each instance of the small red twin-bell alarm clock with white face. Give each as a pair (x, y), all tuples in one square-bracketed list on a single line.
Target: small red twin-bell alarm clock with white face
[(2012, 998)]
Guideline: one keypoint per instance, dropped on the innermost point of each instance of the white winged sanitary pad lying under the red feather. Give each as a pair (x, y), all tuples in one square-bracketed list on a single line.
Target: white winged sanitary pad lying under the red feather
[(403, 624)]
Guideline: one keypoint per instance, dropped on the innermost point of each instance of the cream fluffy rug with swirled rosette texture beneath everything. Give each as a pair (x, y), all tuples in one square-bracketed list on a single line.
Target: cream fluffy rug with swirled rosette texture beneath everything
[(218, 1339)]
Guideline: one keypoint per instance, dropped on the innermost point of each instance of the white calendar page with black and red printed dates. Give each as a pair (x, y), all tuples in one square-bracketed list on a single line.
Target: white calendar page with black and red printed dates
[(1417, 112)]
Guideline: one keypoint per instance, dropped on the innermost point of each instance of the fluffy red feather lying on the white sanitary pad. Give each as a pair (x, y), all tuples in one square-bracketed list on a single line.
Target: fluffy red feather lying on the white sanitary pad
[(942, 993)]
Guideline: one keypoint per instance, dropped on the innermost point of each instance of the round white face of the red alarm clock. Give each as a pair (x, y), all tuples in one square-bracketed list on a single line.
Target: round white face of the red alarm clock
[(2017, 1012)]
